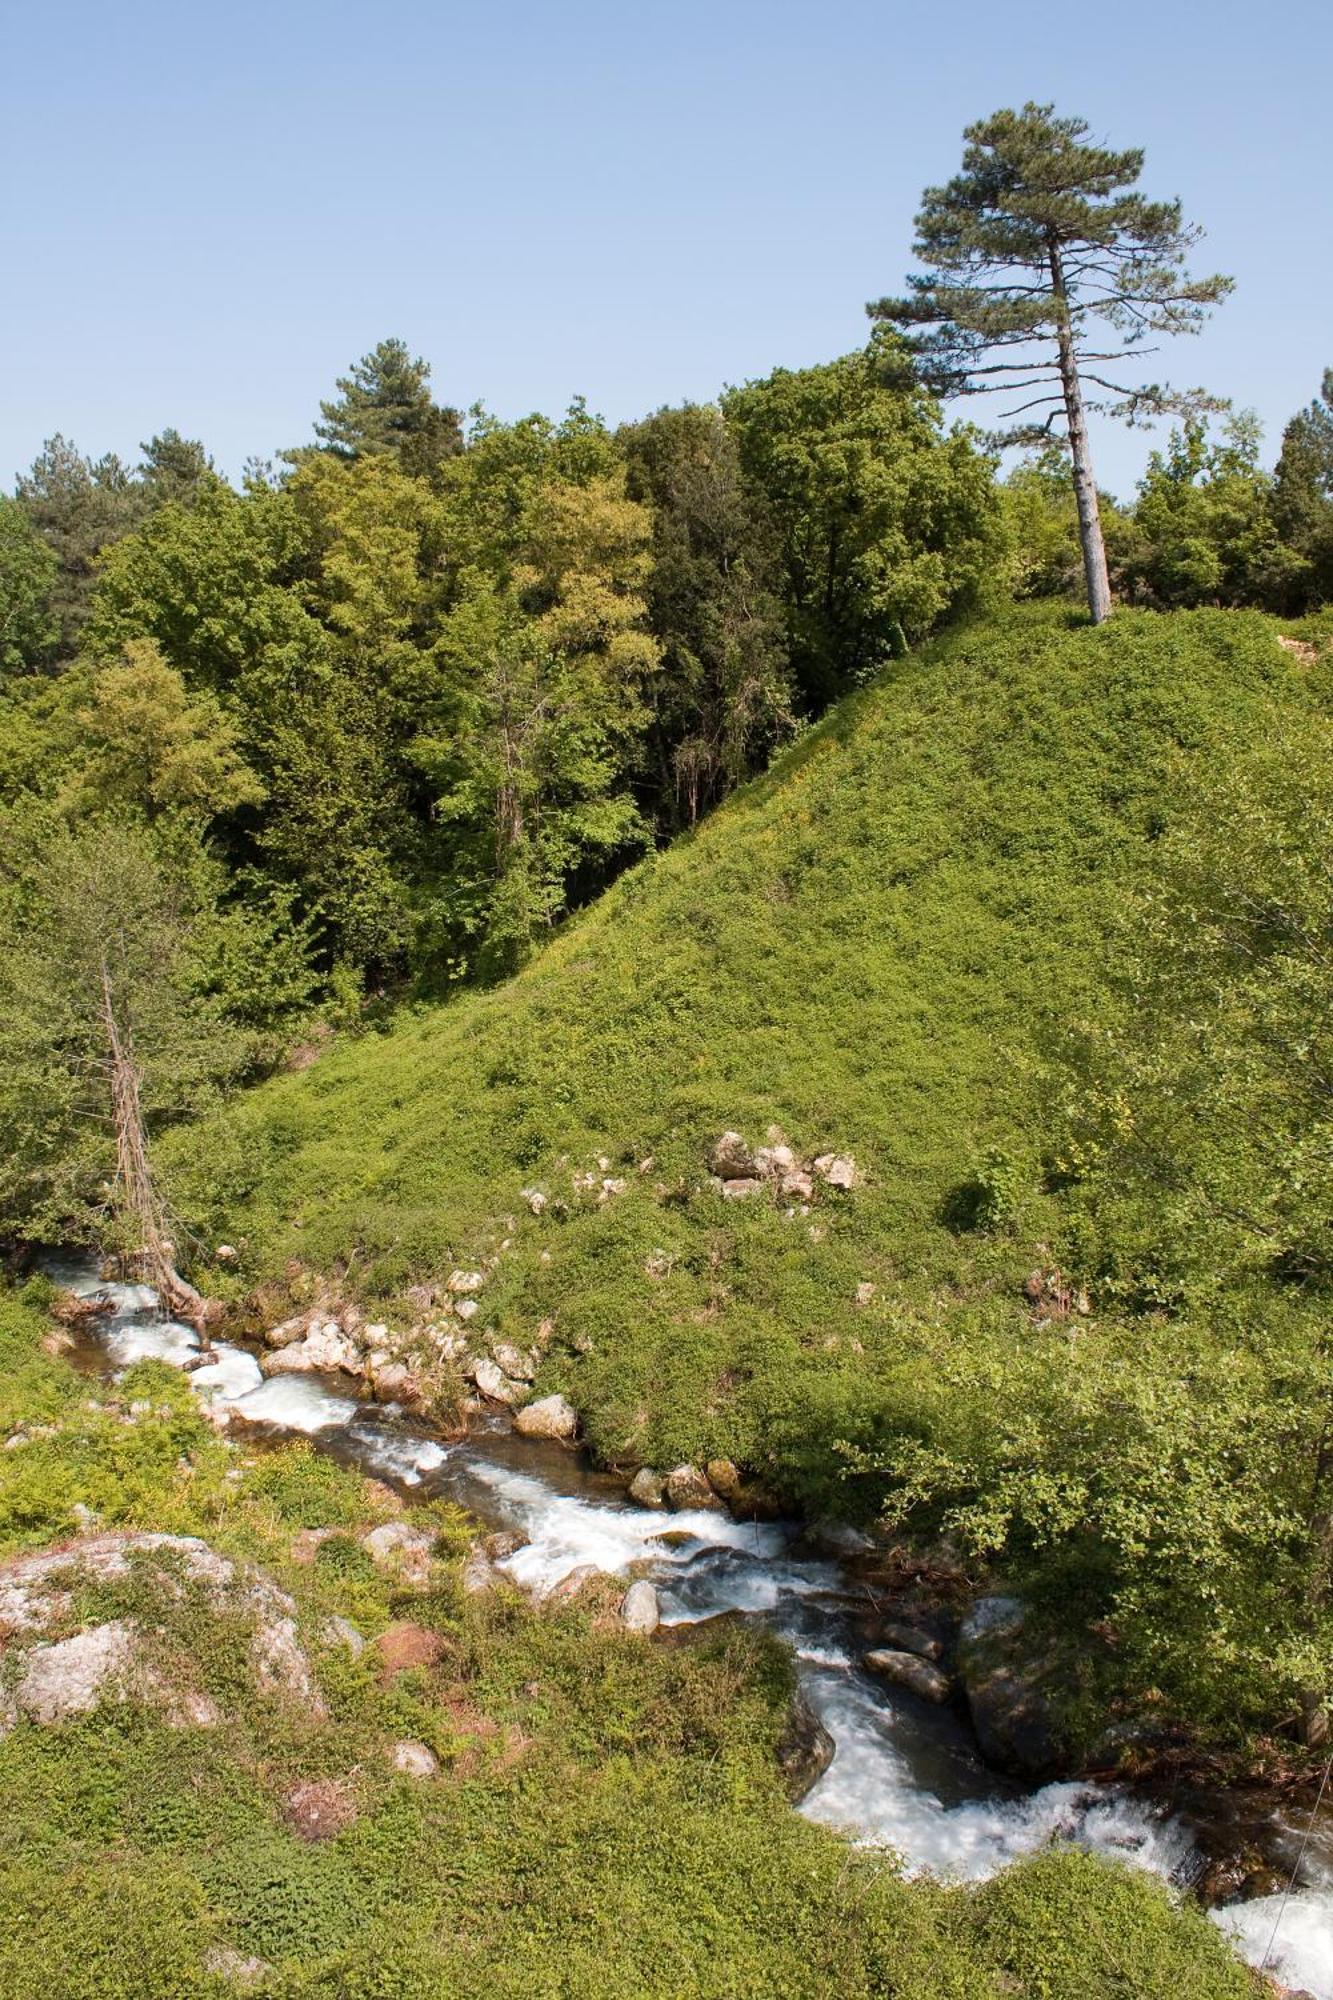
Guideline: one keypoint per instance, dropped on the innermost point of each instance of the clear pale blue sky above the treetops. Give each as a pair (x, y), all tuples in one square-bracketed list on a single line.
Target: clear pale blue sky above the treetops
[(211, 209)]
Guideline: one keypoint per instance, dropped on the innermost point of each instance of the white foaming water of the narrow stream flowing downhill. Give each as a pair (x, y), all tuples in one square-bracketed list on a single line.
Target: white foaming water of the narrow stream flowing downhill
[(906, 1775)]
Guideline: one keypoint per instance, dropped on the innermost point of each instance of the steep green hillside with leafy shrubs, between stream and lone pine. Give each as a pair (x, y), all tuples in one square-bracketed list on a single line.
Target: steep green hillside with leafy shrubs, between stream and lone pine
[(926, 941)]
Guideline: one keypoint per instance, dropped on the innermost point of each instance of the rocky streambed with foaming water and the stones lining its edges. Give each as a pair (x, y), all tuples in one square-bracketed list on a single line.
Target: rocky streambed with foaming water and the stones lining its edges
[(892, 1755)]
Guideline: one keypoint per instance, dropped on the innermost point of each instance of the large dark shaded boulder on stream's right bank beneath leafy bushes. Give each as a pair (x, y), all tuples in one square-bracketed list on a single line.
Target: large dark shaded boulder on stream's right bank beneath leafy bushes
[(1004, 1679)]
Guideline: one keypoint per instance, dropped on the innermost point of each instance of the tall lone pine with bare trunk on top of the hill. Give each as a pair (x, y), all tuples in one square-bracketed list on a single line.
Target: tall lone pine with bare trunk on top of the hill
[(1046, 277)]
